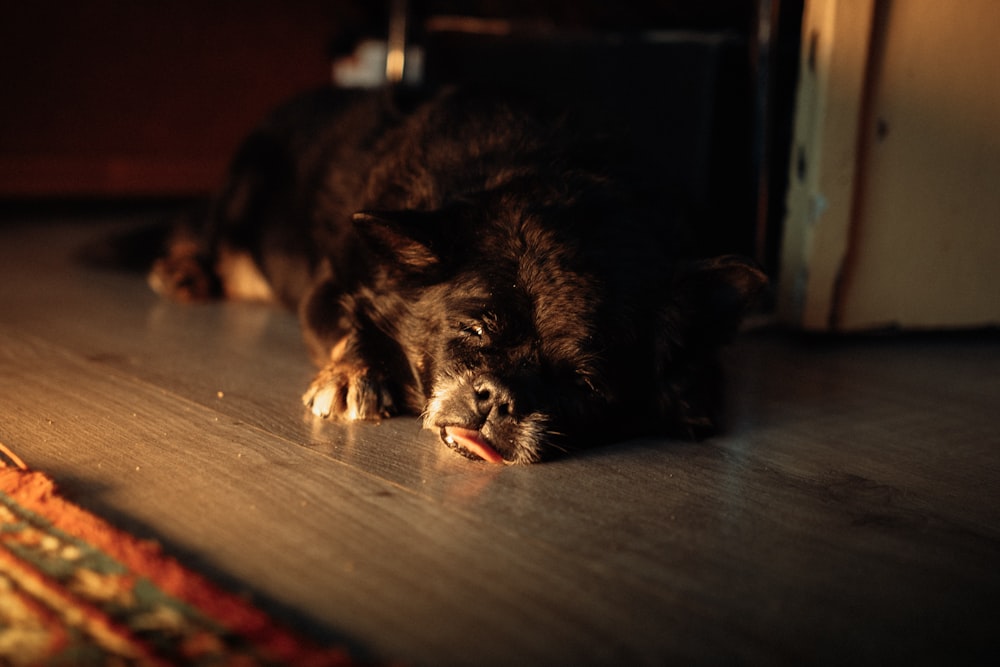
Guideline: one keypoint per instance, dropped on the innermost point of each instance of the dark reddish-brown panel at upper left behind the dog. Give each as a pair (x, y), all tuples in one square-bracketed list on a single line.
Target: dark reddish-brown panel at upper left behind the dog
[(113, 97)]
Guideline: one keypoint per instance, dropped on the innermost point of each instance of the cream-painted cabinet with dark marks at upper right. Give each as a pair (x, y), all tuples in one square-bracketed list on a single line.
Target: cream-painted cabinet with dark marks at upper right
[(894, 197)]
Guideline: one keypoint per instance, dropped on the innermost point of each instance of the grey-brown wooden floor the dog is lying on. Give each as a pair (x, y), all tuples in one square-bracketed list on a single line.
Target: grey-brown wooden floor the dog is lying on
[(850, 516)]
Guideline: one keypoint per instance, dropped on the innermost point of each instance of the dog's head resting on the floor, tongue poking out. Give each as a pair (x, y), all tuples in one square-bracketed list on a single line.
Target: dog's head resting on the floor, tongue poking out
[(533, 331)]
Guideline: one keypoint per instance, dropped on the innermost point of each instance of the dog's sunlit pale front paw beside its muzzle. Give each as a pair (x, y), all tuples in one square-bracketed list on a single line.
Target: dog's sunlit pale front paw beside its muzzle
[(348, 393)]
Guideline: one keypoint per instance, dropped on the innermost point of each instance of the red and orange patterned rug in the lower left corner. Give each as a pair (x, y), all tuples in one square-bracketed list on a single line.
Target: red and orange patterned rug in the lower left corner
[(76, 591)]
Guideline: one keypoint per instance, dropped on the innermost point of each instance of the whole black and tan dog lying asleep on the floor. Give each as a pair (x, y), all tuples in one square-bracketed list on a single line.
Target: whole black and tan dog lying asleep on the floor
[(453, 257)]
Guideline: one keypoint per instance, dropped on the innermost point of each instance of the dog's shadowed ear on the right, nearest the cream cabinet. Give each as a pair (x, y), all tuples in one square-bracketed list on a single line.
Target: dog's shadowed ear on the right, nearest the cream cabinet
[(714, 295)]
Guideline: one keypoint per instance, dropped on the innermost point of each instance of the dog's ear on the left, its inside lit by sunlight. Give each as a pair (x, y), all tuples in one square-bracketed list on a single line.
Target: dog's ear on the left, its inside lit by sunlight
[(415, 241)]
